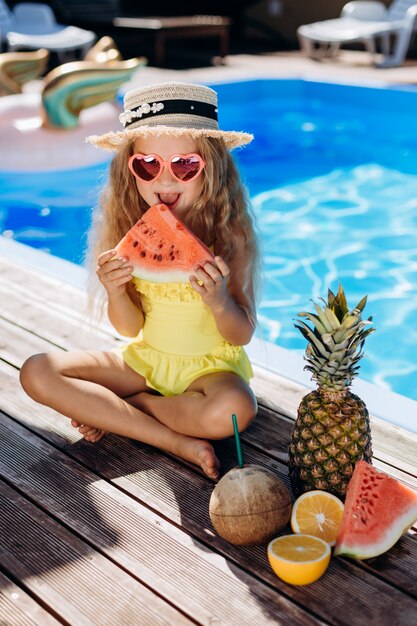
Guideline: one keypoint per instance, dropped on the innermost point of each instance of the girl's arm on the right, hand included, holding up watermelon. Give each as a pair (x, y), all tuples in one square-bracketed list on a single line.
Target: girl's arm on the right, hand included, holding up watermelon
[(230, 295)]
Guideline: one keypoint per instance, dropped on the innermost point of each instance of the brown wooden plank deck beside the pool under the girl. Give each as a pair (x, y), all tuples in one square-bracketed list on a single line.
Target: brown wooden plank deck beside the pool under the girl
[(119, 533)]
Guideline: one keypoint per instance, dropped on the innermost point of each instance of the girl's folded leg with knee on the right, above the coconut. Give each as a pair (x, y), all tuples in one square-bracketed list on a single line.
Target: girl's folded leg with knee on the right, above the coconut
[(206, 408)]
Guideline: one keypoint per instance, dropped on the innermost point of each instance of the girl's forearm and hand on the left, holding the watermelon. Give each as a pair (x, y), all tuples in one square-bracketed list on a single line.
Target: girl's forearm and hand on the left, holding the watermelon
[(114, 274)]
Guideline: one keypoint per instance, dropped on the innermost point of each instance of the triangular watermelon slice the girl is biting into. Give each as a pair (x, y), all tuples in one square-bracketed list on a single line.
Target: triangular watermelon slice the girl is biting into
[(161, 248)]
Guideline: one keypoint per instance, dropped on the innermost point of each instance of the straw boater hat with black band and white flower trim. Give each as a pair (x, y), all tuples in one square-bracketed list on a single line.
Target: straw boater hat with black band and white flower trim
[(173, 109)]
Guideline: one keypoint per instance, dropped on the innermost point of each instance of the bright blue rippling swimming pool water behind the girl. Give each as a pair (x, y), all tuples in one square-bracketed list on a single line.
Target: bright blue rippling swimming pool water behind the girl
[(332, 177)]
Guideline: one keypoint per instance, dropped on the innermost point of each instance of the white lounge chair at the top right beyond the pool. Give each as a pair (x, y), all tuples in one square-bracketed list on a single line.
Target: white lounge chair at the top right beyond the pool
[(365, 22)]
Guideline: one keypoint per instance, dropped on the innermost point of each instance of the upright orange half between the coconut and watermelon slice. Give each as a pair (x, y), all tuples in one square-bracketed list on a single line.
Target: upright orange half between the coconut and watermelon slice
[(317, 513)]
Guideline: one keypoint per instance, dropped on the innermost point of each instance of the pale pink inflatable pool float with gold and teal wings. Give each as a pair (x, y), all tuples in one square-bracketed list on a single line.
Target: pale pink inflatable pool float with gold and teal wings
[(47, 130)]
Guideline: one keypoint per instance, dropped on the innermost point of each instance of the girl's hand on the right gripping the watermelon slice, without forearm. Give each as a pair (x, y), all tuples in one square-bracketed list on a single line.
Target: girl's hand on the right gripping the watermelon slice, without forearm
[(212, 285)]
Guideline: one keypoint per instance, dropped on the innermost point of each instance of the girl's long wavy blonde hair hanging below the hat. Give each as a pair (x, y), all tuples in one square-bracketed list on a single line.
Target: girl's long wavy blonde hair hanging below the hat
[(221, 216)]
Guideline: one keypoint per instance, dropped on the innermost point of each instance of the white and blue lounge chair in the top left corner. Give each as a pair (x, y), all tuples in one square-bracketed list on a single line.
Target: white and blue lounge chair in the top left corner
[(33, 26)]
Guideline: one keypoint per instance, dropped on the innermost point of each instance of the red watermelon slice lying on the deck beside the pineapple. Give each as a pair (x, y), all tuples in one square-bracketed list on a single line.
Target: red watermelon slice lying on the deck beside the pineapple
[(378, 510)]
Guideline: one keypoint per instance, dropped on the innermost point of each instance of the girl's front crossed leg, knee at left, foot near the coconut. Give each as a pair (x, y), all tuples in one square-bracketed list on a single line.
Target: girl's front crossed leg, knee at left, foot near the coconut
[(89, 387)]
